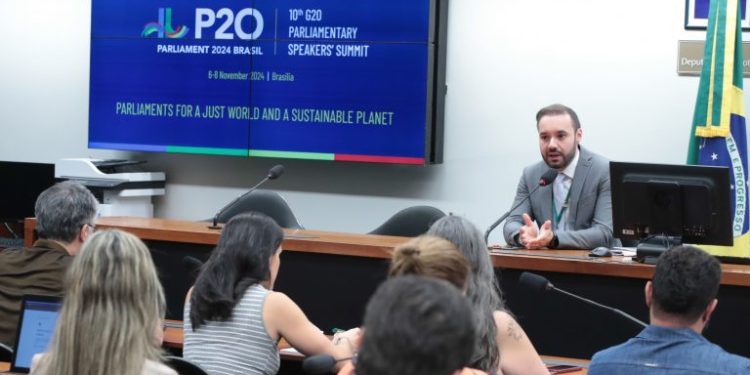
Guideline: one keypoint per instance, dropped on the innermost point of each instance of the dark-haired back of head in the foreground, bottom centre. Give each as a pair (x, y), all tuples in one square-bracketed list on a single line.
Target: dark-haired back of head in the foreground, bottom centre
[(416, 325)]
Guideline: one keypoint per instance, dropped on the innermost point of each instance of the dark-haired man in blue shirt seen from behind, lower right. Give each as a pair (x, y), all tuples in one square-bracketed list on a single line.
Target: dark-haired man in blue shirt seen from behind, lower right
[(681, 299)]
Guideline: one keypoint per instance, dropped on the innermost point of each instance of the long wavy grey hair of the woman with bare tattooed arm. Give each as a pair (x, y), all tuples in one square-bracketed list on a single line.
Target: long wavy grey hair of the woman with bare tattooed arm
[(482, 290)]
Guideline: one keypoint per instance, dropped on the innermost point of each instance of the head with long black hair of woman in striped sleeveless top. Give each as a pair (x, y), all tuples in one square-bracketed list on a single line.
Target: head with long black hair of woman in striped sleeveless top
[(247, 254)]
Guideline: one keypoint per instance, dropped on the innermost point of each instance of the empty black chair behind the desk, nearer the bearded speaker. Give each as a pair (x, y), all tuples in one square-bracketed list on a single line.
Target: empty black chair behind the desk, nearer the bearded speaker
[(410, 222)]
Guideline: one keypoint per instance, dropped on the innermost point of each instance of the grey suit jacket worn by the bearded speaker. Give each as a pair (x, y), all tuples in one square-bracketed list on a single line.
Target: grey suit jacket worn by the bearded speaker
[(590, 213)]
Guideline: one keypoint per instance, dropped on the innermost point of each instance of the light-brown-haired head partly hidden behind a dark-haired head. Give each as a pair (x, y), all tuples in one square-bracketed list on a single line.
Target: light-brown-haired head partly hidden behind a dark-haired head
[(430, 256)]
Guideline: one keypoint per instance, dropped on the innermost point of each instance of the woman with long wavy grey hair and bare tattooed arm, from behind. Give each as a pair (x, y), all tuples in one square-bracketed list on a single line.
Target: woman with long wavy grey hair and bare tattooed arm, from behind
[(501, 345)]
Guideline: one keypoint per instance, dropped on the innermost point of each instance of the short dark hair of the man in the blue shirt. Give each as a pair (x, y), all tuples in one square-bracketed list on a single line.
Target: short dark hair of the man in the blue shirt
[(685, 282)]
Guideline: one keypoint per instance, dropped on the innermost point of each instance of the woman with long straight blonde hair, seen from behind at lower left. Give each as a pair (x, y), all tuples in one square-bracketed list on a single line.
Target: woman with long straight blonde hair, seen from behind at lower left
[(111, 317)]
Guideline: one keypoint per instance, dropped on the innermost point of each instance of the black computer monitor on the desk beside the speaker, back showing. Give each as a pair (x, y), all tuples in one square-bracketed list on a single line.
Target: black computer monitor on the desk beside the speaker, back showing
[(660, 205)]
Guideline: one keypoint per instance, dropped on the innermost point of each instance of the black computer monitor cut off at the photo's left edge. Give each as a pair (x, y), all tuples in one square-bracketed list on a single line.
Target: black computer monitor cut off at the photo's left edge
[(20, 185)]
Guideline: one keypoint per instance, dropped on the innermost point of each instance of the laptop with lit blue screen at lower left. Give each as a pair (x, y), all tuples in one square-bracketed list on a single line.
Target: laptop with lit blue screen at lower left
[(36, 324)]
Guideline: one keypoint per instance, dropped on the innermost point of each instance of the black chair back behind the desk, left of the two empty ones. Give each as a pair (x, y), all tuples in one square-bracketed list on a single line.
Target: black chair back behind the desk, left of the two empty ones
[(267, 202)]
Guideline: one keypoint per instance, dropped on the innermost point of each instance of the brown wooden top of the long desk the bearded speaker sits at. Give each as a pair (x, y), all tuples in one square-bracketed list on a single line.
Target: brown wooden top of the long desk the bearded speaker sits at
[(375, 246)]
